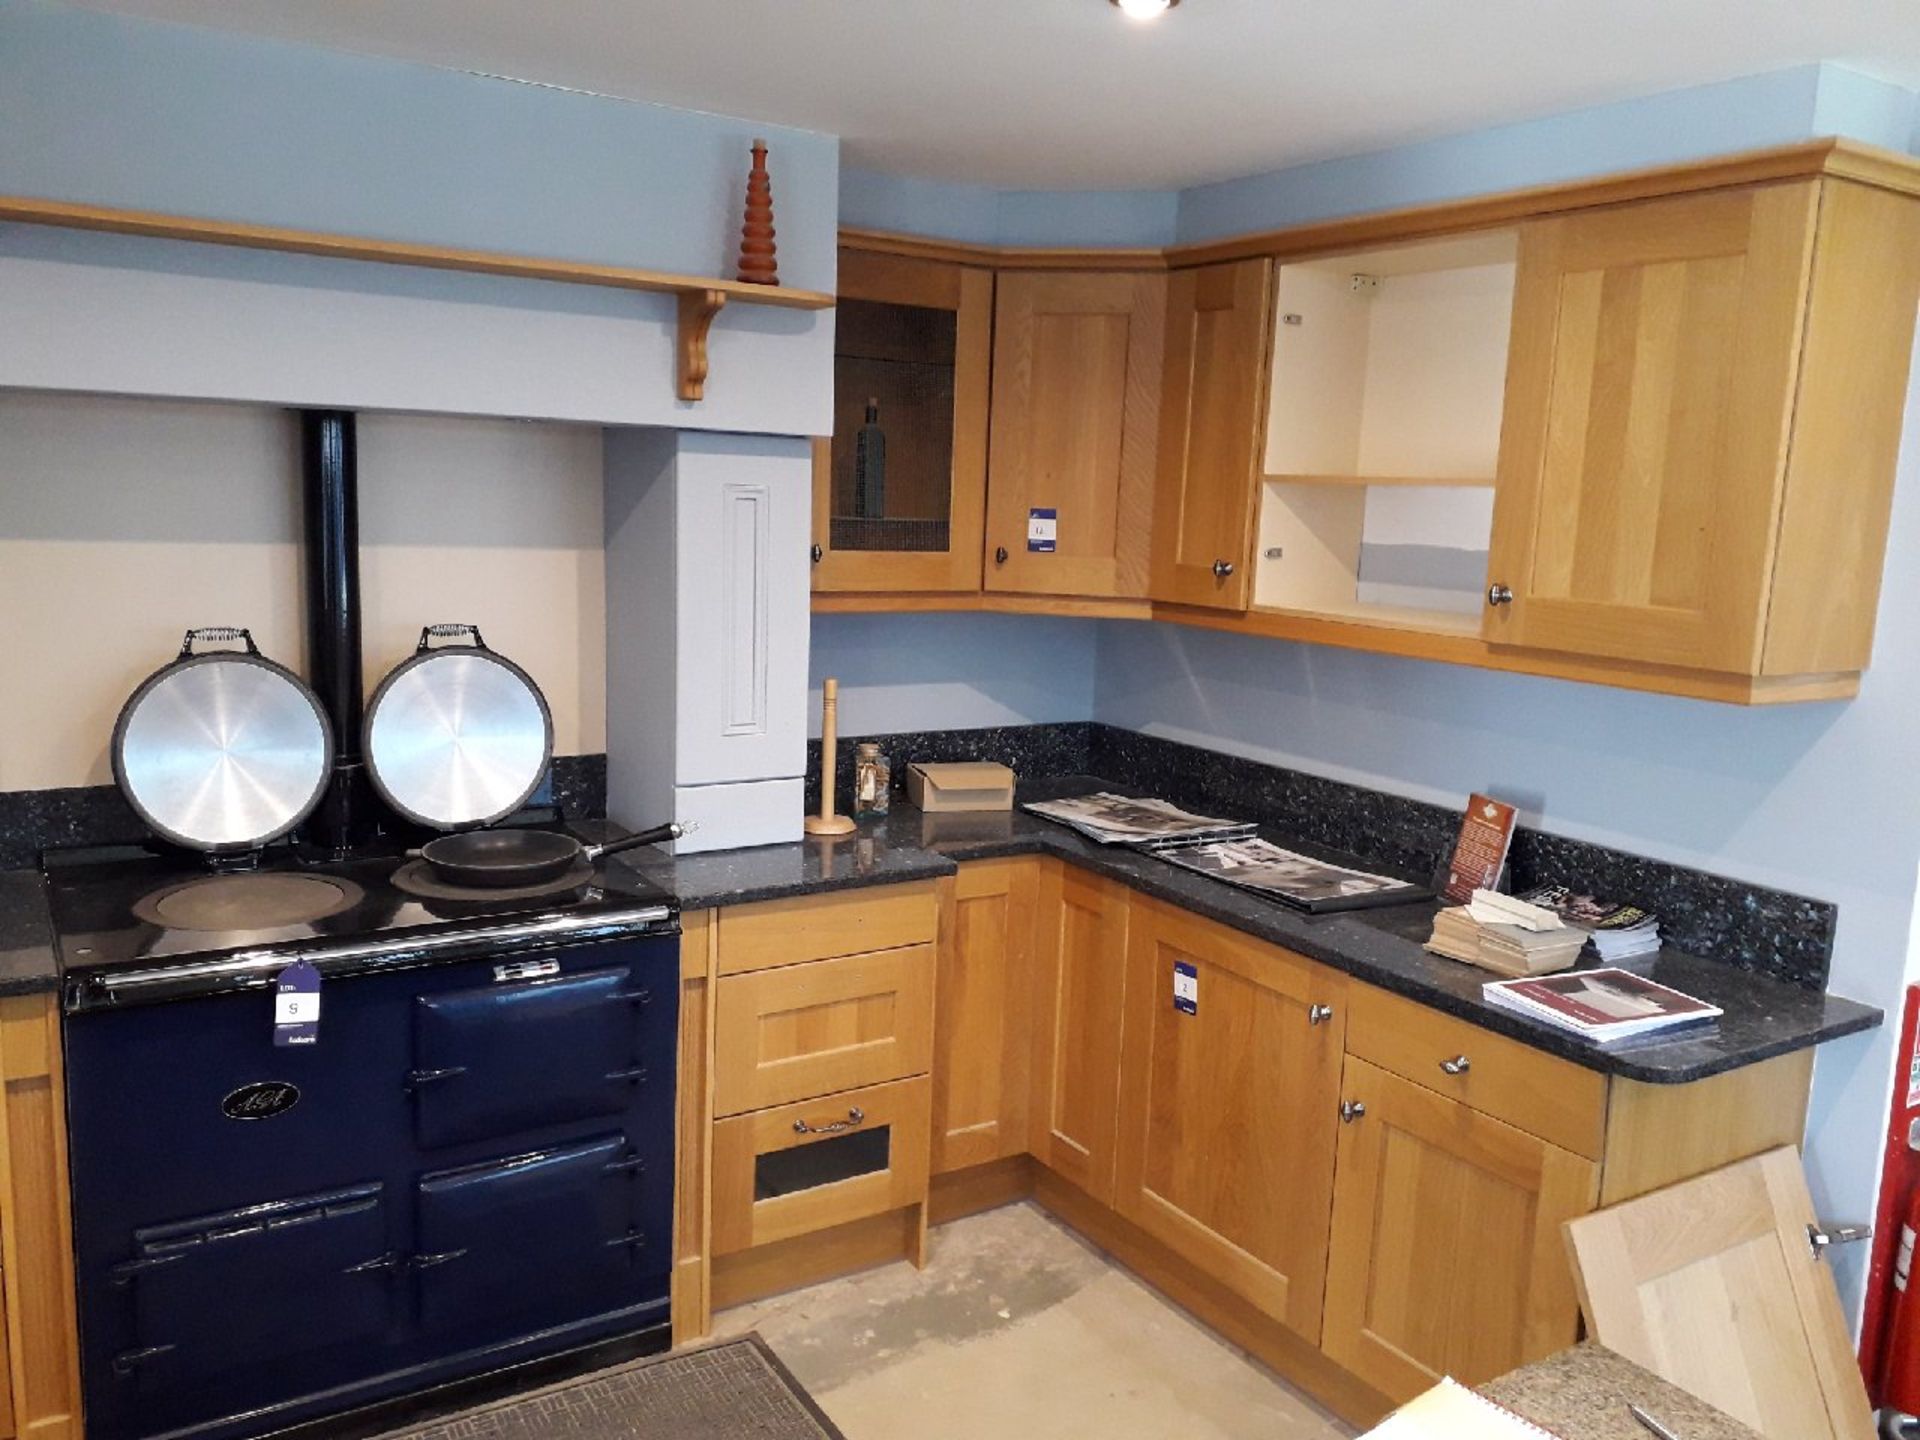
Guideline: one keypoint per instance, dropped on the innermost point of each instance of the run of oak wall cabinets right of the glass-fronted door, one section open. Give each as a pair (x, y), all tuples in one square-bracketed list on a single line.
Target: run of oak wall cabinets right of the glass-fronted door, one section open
[(1633, 431)]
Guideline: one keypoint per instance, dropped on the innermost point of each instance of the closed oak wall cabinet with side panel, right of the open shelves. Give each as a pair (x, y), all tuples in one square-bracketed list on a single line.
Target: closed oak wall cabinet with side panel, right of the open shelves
[(1702, 412)]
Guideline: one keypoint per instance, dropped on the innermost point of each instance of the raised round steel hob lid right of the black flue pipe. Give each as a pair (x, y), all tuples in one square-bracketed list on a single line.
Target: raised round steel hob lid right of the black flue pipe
[(458, 736)]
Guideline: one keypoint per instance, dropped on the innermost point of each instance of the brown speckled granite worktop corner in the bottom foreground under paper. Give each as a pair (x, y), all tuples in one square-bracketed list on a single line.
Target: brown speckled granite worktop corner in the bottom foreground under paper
[(1583, 1395)]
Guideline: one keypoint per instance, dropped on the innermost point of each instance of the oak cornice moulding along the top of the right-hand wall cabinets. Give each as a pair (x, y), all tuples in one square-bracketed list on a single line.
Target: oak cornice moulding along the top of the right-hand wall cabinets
[(1806, 160)]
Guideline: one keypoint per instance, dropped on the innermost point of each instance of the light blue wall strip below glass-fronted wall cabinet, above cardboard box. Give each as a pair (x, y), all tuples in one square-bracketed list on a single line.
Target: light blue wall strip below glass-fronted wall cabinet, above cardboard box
[(953, 671)]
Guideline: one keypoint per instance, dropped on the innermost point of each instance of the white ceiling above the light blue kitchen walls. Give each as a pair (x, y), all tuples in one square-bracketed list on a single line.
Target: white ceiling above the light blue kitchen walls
[(1068, 95)]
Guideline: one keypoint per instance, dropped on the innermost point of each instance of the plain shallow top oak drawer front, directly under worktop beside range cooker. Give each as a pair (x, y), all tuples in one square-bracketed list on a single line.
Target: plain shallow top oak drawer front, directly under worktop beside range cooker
[(819, 926)]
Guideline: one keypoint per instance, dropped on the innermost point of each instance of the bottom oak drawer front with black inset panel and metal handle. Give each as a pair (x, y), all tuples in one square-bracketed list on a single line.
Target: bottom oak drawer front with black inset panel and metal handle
[(825, 1163)]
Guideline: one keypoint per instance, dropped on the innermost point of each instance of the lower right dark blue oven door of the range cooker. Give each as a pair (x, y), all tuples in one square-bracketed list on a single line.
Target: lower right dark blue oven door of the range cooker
[(527, 1241)]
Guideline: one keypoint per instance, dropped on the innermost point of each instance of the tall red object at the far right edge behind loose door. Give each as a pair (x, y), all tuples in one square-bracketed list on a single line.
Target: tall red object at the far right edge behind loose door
[(1890, 1330)]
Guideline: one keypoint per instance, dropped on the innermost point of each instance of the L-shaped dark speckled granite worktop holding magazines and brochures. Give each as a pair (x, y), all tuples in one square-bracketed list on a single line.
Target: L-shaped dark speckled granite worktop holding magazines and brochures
[(1383, 946)]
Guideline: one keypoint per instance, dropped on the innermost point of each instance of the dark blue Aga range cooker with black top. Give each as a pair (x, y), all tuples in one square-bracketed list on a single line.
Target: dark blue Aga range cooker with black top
[(471, 1164)]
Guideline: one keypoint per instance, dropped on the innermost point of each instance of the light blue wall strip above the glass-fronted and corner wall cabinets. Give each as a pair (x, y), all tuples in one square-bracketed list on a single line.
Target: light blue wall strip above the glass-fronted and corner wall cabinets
[(1007, 218)]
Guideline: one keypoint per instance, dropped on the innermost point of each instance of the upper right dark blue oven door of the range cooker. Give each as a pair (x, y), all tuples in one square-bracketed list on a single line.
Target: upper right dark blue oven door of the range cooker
[(516, 1057)]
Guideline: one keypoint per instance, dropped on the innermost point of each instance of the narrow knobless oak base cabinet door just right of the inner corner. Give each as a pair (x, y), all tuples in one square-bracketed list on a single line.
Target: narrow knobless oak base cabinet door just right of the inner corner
[(1082, 971)]
